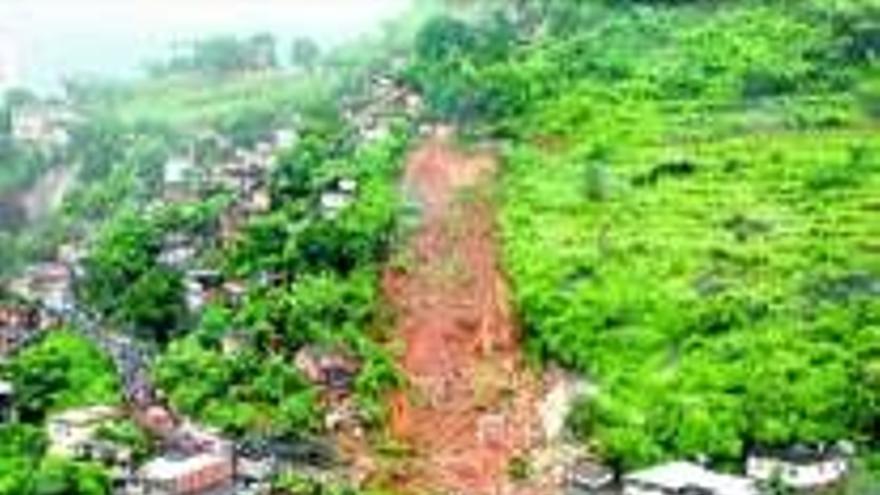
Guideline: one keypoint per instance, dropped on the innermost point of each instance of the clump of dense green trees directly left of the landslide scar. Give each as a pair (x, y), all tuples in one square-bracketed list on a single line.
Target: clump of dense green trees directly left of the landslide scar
[(328, 295)]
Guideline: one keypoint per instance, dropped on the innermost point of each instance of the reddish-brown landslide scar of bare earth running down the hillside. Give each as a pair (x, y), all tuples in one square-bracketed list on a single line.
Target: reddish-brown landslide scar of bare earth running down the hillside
[(472, 406)]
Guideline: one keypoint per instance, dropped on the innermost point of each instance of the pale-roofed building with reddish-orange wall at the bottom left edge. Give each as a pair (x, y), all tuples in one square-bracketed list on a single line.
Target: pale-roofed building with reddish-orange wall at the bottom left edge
[(187, 475)]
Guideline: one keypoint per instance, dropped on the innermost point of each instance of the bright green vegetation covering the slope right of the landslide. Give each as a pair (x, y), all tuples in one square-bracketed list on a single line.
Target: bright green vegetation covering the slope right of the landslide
[(688, 212)]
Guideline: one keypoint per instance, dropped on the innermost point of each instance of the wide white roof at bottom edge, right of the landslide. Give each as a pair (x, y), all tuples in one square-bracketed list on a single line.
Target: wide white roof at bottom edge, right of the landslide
[(684, 478)]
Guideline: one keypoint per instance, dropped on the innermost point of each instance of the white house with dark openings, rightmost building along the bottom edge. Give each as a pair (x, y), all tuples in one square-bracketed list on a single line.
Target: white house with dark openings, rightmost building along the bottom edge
[(802, 467)]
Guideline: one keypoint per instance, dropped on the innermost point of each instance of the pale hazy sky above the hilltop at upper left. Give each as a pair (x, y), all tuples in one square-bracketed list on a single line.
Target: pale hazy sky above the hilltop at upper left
[(41, 40)]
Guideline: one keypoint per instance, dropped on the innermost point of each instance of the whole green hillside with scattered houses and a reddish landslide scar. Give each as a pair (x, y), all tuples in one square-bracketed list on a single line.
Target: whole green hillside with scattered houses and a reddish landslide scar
[(391, 268)]
